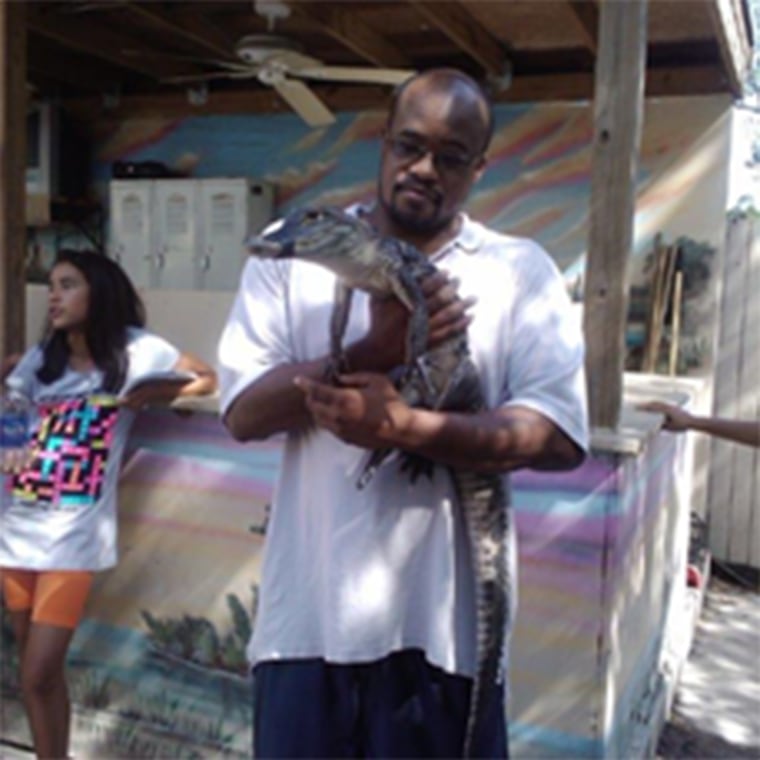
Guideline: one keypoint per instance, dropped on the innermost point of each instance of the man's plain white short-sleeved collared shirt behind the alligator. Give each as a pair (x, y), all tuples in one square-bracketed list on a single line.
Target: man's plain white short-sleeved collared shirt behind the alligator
[(352, 575)]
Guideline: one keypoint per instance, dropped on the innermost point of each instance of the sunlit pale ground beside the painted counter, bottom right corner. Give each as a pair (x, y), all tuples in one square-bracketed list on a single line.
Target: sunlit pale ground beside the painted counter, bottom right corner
[(716, 711)]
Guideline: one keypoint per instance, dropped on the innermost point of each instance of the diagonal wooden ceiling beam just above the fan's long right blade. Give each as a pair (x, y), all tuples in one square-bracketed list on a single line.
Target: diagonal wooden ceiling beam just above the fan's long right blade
[(348, 29)]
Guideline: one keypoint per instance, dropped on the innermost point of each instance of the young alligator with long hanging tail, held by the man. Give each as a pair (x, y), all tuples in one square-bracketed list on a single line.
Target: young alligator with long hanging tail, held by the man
[(442, 377)]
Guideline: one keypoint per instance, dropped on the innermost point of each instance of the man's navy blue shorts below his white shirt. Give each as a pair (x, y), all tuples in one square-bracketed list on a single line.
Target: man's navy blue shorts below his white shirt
[(397, 707)]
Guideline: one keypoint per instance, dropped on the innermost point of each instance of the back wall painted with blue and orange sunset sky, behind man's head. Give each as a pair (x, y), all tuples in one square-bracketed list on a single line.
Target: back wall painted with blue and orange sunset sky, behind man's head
[(537, 183)]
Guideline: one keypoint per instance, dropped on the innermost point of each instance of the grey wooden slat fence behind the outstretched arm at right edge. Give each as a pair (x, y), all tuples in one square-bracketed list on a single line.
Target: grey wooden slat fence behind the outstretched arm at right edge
[(734, 484)]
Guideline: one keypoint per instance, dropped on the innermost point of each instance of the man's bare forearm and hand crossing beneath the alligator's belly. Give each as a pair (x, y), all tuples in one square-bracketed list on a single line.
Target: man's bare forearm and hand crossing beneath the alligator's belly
[(367, 411)]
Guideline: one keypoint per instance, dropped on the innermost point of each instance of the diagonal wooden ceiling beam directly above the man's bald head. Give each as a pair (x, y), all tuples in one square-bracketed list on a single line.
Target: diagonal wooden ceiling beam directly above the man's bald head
[(458, 24)]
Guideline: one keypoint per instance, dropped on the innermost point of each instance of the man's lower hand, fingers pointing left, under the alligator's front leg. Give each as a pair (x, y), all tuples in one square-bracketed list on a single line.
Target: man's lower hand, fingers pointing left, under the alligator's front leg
[(366, 410)]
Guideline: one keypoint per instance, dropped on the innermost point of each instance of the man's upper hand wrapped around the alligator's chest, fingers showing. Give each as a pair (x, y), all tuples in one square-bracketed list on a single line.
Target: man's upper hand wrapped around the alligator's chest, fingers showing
[(384, 347)]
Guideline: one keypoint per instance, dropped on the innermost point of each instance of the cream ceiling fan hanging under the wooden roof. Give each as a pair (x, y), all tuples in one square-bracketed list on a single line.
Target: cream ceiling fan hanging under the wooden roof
[(279, 63)]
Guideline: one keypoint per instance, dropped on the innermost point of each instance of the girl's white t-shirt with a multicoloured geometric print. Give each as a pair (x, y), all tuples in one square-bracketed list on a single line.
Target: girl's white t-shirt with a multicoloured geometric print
[(60, 513)]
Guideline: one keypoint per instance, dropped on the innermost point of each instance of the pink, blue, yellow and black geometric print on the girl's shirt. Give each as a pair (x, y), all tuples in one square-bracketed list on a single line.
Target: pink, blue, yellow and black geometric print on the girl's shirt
[(70, 452)]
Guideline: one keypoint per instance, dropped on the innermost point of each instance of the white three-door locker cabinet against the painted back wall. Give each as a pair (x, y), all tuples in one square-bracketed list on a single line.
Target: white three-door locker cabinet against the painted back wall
[(185, 234)]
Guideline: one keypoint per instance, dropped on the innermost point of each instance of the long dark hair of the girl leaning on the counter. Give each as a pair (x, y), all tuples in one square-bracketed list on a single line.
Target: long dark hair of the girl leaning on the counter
[(114, 306)]
